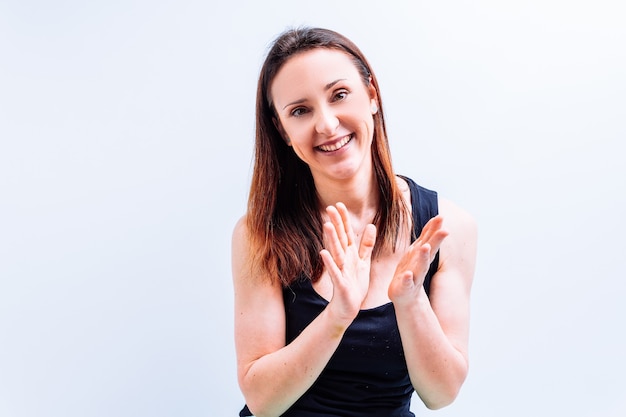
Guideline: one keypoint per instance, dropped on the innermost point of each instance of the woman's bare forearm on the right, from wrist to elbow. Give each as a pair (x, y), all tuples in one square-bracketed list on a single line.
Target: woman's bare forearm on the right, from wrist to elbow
[(437, 367)]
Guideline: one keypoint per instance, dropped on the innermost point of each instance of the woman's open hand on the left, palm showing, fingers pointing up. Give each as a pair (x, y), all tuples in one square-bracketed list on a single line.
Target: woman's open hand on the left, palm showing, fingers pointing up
[(347, 262)]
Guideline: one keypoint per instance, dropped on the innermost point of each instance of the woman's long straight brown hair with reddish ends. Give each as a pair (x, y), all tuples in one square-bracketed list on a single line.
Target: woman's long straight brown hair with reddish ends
[(283, 217)]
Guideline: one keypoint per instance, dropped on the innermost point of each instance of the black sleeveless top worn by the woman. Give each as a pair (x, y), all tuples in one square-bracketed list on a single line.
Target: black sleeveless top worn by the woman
[(367, 375)]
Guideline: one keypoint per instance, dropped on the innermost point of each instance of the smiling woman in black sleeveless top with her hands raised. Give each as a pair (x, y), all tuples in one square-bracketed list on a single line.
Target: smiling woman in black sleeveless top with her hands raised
[(351, 283)]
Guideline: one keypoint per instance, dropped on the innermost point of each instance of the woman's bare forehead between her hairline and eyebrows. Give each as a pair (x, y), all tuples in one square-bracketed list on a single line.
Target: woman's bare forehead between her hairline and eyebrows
[(311, 71)]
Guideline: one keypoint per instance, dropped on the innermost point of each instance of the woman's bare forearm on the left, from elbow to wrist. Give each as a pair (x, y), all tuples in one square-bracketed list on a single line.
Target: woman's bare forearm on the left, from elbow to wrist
[(272, 383)]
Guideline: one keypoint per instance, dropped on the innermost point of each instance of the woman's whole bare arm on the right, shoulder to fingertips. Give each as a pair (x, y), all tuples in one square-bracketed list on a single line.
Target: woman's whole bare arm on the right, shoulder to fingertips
[(435, 331)]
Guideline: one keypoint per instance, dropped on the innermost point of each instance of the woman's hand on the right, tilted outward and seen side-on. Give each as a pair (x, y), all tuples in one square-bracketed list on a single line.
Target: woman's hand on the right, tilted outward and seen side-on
[(408, 279)]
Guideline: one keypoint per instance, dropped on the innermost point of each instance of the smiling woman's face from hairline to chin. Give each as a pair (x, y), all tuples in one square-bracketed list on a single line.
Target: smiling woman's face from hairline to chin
[(325, 112)]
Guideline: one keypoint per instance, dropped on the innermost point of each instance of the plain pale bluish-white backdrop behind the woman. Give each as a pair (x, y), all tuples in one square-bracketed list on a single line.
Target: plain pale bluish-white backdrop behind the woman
[(126, 131)]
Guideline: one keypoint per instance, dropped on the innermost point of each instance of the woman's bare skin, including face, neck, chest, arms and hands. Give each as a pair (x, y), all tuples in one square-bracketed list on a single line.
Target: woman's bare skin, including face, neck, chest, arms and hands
[(321, 100)]
